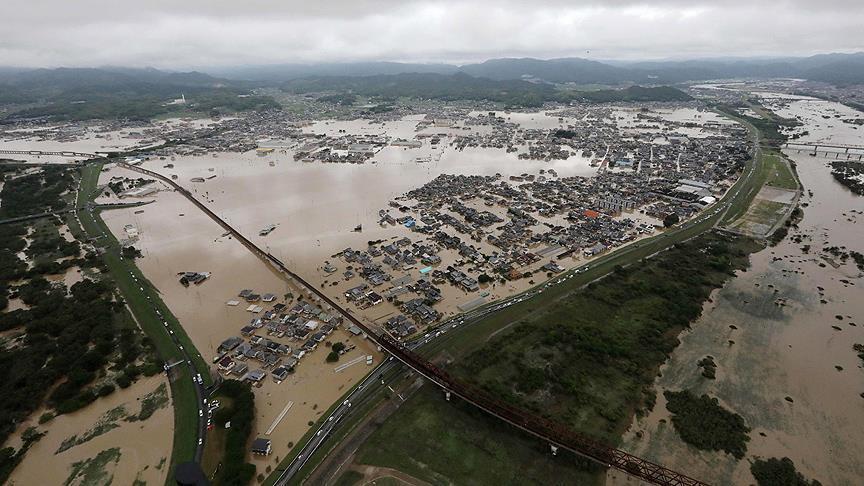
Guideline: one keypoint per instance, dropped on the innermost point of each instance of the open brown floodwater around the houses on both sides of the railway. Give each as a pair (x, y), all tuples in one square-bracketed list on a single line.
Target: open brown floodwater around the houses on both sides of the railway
[(315, 206)]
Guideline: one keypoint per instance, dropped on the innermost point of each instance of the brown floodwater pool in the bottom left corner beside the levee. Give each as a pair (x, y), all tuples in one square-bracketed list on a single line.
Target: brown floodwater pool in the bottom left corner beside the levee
[(144, 446)]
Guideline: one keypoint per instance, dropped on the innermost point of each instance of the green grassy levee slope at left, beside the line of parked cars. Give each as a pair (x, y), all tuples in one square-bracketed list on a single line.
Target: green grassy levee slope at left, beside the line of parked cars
[(135, 294)]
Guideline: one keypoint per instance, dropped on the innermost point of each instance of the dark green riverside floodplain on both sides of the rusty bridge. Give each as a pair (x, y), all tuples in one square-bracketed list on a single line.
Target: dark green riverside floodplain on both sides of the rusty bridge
[(588, 360)]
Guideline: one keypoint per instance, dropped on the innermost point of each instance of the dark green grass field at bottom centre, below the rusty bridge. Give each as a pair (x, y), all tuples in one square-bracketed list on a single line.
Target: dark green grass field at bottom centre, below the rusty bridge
[(454, 443)]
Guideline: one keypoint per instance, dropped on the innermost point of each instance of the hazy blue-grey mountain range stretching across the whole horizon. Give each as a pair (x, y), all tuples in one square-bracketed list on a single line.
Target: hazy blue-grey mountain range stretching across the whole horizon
[(42, 83)]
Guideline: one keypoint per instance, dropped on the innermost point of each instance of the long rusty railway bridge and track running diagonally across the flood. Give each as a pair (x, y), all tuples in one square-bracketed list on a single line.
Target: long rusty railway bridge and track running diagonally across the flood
[(557, 435)]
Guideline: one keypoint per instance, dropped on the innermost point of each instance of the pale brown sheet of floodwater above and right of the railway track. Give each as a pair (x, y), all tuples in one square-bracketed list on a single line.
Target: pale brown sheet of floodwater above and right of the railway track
[(316, 205)]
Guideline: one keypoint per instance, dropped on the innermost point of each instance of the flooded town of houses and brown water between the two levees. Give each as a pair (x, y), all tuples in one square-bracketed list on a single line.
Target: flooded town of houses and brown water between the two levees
[(312, 214)]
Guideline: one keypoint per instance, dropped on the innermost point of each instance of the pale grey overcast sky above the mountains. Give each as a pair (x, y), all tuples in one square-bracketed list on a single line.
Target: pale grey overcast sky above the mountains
[(197, 33)]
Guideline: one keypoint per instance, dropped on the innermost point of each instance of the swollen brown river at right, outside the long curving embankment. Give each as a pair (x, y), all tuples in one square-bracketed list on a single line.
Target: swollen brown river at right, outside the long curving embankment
[(783, 328)]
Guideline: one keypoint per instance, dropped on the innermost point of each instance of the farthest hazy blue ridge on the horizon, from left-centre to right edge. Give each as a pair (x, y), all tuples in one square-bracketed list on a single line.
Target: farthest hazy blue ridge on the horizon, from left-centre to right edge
[(832, 68)]
